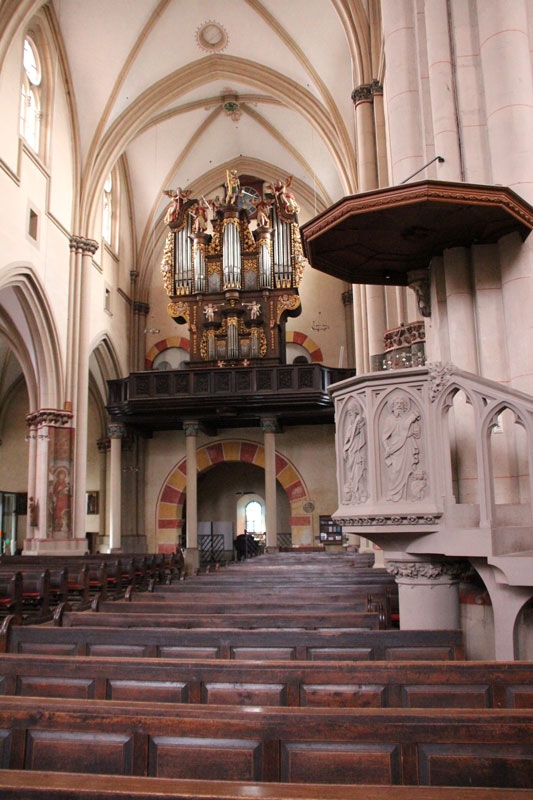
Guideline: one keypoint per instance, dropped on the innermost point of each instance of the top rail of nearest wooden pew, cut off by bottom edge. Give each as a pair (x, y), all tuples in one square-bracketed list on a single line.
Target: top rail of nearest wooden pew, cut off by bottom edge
[(37, 785)]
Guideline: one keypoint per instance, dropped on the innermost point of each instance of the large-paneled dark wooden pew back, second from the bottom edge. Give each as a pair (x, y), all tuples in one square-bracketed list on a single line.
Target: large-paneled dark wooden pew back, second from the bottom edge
[(385, 746)]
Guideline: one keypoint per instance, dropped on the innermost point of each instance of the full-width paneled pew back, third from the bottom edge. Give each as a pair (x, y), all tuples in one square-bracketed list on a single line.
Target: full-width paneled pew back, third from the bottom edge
[(341, 684)]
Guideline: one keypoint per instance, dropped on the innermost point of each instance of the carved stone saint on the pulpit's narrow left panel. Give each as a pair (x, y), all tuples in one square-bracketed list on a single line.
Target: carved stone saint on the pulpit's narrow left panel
[(354, 453)]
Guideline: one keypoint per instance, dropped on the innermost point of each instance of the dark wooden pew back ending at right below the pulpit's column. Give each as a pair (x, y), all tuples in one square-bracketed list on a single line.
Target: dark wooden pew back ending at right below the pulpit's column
[(291, 644)]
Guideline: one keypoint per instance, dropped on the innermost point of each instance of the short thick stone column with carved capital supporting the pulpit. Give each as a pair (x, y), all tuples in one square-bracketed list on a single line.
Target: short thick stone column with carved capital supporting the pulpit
[(428, 593)]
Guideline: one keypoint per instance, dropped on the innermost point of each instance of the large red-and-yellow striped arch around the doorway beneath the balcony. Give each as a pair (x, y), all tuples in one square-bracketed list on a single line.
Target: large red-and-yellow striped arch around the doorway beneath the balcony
[(169, 511)]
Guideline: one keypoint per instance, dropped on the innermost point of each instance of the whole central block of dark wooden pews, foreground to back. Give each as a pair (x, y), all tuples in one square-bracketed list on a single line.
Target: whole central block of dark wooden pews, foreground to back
[(276, 677)]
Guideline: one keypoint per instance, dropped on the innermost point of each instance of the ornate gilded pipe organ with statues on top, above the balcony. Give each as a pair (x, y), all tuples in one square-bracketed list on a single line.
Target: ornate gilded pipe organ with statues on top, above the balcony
[(231, 268)]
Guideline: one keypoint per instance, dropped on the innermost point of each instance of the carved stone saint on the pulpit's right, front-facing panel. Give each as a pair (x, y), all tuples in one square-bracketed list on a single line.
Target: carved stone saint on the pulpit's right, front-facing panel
[(401, 435)]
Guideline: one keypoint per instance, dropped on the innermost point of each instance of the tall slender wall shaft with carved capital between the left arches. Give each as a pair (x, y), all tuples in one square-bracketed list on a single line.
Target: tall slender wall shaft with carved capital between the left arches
[(88, 249)]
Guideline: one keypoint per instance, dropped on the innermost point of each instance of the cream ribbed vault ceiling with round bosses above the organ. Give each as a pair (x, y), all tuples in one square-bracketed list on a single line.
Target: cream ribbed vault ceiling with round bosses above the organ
[(146, 86)]
